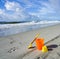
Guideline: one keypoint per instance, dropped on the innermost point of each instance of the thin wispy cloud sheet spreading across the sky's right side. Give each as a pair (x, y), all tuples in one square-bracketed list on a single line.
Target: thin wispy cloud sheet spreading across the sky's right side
[(48, 10)]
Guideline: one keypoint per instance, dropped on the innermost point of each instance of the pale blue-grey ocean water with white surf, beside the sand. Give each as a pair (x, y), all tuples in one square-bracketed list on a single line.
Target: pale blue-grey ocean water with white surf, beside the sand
[(9, 29)]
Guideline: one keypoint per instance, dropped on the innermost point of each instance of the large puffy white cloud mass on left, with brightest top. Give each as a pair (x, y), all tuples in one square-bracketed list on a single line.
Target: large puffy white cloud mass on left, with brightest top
[(13, 12)]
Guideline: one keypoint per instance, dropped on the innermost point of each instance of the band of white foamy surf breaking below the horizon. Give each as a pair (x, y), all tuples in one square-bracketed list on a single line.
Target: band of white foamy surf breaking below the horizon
[(27, 23)]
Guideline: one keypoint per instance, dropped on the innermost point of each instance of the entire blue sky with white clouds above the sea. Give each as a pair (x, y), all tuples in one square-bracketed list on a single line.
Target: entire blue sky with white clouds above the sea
[(28, 10)]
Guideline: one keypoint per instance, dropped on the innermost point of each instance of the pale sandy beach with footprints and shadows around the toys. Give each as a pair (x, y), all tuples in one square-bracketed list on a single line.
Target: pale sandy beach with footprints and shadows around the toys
[(15, 46)]
